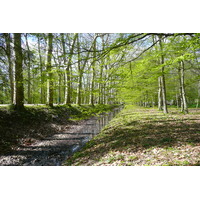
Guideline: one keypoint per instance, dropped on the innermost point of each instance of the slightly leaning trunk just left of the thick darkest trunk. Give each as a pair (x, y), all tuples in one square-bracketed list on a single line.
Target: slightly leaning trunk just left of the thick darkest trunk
[(10, 66)]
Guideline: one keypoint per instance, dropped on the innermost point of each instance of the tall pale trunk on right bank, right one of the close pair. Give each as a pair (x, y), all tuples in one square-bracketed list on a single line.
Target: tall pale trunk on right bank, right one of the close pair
[(163, 79)]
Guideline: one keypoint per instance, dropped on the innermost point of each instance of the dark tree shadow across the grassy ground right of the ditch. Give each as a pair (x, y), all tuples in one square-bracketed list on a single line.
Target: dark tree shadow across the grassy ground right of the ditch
[(138, 136)]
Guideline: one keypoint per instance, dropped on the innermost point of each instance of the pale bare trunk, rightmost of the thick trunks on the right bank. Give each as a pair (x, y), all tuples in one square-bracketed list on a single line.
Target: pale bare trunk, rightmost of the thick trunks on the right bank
[(185, 107)]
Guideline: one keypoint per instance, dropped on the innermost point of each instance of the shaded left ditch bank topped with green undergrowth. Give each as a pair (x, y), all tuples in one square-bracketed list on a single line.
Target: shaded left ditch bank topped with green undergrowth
[(40, 121)]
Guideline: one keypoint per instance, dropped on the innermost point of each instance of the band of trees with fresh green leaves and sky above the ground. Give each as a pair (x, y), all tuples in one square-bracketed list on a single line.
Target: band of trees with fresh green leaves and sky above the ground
[(100, 68)]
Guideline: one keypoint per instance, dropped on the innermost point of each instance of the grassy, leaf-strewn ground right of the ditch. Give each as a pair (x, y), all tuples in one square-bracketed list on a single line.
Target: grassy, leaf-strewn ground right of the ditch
[(144, 137)]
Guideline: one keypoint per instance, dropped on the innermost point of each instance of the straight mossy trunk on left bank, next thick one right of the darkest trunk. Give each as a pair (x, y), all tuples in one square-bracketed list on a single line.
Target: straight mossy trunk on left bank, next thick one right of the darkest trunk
[(49, 70)]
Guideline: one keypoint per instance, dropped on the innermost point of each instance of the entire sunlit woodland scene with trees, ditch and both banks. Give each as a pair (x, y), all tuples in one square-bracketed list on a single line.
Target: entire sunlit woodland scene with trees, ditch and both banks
[(54, 85)]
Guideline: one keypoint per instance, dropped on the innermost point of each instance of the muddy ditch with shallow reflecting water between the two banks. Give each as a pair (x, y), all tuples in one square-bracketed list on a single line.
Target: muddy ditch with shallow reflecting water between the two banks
[(52, 151)]
